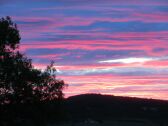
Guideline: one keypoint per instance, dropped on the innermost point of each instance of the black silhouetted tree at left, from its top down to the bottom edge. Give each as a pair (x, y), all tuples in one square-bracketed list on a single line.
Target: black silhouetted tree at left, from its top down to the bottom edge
[(26, 93)]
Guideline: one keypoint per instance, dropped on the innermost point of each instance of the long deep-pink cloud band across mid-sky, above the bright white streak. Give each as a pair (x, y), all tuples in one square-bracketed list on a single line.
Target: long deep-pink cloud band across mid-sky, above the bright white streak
[(141, 45)]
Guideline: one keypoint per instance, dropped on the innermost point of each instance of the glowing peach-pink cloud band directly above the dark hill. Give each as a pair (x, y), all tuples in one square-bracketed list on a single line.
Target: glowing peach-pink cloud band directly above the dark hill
[(146, 88)]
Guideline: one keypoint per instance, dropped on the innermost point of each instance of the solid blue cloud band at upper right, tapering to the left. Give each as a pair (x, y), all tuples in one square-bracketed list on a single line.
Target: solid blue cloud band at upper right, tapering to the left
[(134, 26)]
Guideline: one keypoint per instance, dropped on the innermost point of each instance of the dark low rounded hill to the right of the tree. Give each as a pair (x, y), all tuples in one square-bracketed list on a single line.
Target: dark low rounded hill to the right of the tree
[(101, 108)]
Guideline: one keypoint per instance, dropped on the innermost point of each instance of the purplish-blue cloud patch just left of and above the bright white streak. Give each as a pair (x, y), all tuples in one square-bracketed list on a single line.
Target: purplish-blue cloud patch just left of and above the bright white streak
[(87, 56)]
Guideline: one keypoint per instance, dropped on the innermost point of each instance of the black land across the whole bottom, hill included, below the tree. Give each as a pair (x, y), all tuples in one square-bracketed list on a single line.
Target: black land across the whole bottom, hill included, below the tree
[(88, 110)]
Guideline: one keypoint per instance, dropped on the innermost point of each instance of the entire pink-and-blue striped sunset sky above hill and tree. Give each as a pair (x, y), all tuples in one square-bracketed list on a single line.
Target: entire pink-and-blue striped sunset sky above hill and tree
[(115, 47)]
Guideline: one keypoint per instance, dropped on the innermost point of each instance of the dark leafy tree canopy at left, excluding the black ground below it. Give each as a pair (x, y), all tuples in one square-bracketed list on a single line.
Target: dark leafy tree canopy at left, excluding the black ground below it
[(20, 82)]
